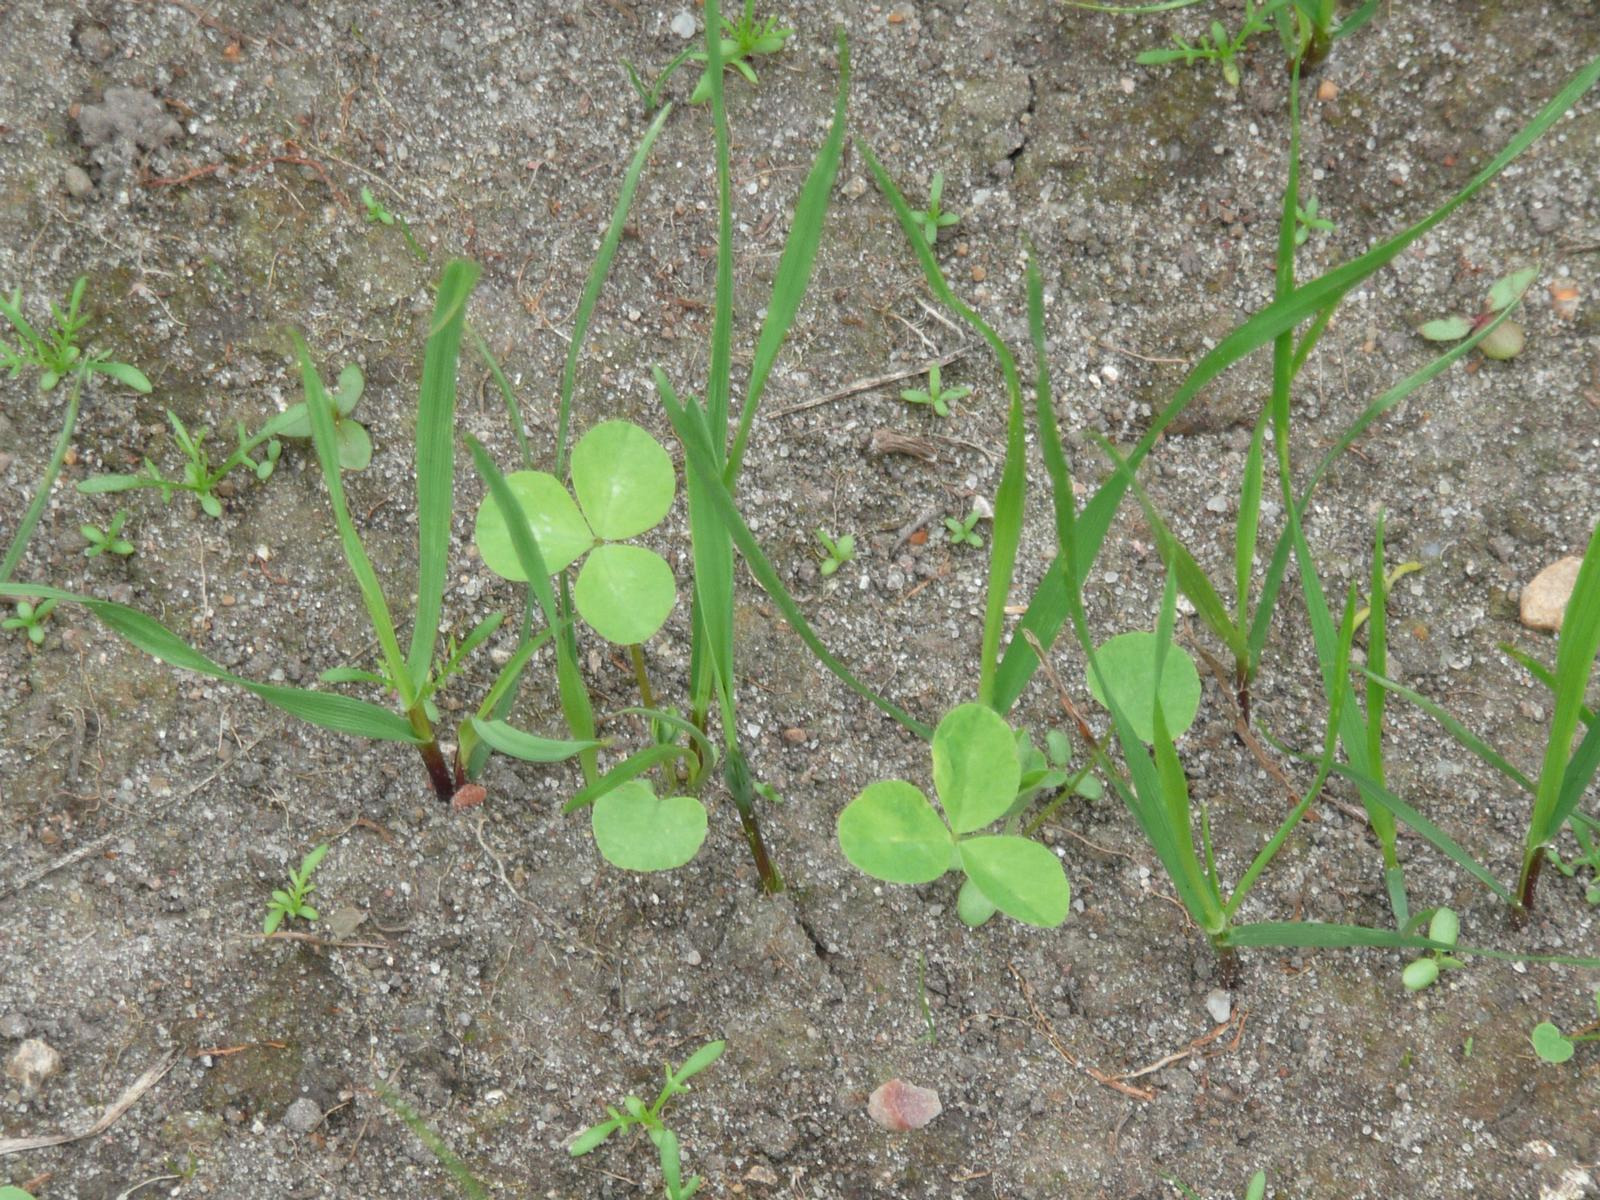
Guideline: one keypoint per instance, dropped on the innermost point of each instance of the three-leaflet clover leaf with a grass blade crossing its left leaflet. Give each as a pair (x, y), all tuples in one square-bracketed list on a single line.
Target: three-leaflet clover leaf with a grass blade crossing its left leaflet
[(625, 487)]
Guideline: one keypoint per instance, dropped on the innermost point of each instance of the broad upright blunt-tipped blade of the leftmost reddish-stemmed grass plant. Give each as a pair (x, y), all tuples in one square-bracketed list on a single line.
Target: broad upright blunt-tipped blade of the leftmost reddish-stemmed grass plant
[(436, 460)]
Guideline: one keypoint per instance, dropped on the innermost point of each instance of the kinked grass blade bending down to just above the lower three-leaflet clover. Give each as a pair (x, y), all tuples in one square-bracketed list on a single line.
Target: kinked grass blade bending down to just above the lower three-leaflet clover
[(1010, 494)]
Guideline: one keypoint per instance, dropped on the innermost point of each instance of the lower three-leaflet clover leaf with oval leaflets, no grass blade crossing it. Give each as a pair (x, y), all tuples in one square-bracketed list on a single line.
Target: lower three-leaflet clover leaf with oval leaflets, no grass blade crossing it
[(894, 833)]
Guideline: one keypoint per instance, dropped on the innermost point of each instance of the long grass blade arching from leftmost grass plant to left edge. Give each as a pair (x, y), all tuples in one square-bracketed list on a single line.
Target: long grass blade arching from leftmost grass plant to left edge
[(330, 711)]
